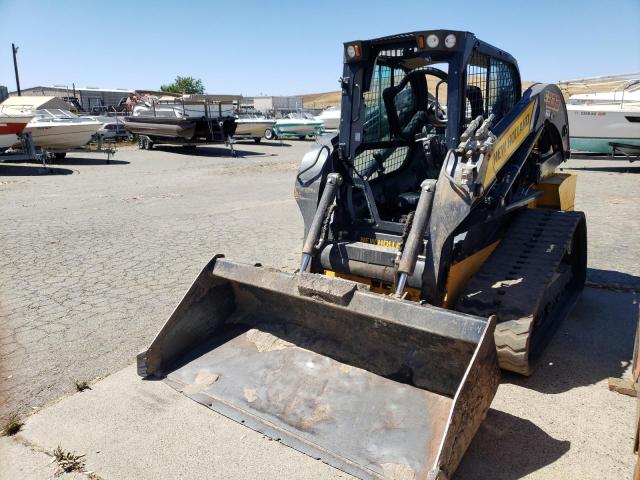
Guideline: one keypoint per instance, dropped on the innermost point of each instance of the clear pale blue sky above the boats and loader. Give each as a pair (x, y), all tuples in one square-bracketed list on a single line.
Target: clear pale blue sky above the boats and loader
[(289, 47)]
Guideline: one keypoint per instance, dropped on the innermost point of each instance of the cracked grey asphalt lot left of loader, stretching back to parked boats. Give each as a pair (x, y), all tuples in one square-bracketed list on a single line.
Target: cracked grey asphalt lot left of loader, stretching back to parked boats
[(93, 261)]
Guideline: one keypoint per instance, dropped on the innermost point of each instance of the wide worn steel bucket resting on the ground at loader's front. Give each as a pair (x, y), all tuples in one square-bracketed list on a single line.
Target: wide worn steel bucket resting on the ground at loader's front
[(376, 386)]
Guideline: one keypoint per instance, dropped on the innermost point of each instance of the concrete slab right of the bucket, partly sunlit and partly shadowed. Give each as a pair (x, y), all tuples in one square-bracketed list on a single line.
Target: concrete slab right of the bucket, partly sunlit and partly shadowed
[(563, 422)]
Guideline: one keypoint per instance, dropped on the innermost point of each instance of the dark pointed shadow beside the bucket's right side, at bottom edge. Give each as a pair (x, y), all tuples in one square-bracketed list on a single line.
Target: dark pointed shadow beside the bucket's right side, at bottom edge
[(501, 450)]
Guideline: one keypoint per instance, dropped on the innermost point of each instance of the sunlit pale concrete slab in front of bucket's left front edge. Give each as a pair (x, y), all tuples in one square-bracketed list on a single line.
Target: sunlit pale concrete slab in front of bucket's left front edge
[(129, 428)]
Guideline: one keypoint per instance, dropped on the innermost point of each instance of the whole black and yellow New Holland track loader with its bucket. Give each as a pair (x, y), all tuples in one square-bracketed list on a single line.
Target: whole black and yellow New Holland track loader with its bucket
[(439, 243)]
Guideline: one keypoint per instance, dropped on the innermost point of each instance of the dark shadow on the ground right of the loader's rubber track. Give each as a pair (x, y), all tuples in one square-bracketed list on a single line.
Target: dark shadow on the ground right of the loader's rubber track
[(594, 343)]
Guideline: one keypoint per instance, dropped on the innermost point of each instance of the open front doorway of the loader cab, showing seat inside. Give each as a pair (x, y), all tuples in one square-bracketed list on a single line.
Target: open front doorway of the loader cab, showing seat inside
[(401, 105)]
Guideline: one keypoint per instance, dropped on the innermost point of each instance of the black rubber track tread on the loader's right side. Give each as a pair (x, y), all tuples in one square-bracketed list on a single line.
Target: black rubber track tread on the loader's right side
[(513, 281)]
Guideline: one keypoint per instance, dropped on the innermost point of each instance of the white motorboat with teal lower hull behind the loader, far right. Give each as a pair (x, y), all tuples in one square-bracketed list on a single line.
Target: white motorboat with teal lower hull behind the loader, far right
[(598, 122)]
